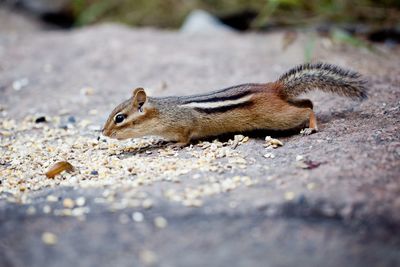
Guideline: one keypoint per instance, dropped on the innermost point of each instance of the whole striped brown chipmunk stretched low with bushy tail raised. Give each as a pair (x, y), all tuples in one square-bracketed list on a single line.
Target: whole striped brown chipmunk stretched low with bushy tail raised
[(246, 107)]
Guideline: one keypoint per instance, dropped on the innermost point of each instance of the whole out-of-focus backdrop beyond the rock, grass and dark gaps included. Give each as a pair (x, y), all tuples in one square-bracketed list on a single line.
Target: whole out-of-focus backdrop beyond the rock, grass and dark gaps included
[(371, 20)]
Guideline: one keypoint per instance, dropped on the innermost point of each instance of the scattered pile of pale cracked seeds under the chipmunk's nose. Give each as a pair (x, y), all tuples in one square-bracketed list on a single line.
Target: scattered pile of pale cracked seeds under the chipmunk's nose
[(30, 149)]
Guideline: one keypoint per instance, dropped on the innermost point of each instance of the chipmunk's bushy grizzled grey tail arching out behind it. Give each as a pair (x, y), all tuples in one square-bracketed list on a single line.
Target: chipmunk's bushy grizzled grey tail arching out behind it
[(324, 77)]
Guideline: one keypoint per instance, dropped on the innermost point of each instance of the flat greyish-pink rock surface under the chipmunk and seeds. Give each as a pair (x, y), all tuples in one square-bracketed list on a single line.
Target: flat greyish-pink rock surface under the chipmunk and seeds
[(345, 212)]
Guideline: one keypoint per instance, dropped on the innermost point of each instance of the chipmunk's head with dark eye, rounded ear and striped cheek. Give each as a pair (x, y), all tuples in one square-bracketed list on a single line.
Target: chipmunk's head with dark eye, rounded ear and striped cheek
[(134, 117)]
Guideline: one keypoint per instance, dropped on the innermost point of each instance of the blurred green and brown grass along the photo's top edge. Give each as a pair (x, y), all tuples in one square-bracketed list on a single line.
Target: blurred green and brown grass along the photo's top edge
[(171, 13)]
